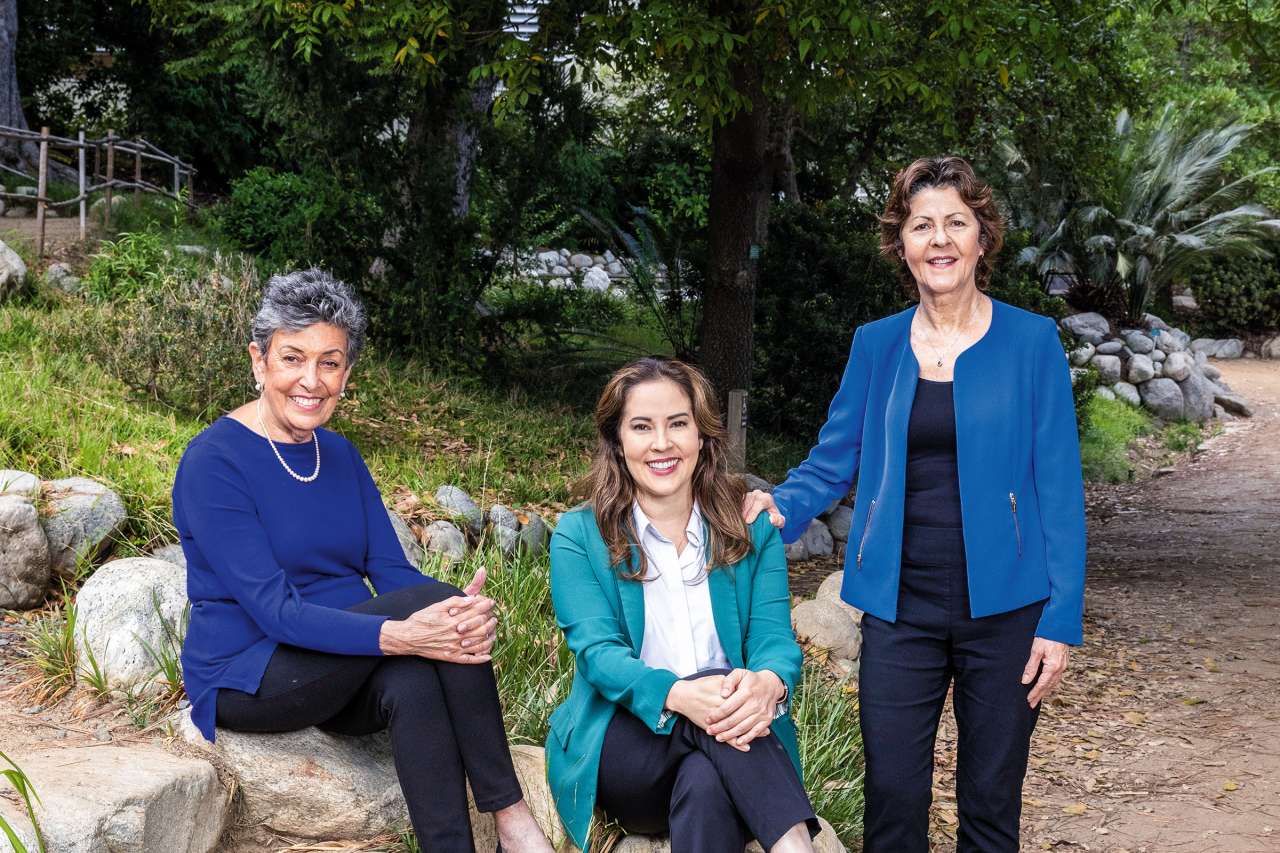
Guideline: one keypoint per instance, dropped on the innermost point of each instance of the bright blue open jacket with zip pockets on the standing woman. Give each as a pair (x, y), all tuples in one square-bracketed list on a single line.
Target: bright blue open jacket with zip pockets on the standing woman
[(1018, 453)]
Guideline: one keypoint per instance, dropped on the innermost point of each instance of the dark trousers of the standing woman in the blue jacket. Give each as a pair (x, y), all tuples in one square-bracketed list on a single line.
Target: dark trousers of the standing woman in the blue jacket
[(907, 668)]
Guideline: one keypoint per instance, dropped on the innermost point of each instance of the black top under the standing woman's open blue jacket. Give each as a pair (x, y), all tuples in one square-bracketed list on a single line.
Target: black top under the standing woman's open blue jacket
[(932, 485)]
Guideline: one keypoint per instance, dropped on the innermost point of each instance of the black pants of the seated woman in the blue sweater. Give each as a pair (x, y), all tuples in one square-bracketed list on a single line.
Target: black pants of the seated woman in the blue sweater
[(445, 719)]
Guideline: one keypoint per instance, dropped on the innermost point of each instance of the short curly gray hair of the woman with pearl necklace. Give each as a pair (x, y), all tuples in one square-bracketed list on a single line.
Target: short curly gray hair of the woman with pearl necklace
[(294, 302)]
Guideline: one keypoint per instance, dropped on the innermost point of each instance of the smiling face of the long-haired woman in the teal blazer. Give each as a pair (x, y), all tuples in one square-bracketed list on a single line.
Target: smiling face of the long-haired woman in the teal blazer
[(660, 441)]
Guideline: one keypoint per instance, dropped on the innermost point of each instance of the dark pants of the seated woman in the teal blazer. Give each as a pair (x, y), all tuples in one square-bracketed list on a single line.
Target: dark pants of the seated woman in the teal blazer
[(711, 797)]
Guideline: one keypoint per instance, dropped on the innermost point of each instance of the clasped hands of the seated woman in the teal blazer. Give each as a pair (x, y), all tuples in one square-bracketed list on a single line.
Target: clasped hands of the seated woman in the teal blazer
[(737, 709)]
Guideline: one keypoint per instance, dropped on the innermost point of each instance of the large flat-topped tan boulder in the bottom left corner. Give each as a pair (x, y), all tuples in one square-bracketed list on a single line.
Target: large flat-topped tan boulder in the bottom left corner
[(121, 800)]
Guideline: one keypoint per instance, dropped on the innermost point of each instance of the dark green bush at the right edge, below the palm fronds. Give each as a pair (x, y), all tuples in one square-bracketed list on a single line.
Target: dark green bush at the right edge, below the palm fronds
[(1238, 297)]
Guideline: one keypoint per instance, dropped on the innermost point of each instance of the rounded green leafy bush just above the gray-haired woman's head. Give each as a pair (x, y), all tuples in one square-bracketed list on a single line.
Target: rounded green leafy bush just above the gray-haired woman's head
[(303, 220)]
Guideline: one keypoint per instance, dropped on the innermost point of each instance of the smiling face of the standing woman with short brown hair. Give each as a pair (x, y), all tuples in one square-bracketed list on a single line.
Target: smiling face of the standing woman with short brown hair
[(941, 241)]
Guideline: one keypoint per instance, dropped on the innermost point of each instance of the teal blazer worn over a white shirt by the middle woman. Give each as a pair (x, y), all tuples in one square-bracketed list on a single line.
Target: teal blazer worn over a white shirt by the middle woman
[(602, 617)]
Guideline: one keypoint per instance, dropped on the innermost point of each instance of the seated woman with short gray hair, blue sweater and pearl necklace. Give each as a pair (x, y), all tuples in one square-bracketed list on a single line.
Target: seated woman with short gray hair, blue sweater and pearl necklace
[(285, 633)]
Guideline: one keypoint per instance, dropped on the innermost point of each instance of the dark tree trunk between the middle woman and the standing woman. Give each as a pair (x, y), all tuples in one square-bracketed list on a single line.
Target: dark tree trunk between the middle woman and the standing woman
[(738, 225)]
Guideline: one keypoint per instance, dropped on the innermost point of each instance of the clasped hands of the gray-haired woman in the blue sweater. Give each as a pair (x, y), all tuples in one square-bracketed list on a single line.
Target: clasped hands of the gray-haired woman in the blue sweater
[(461, 630)]
